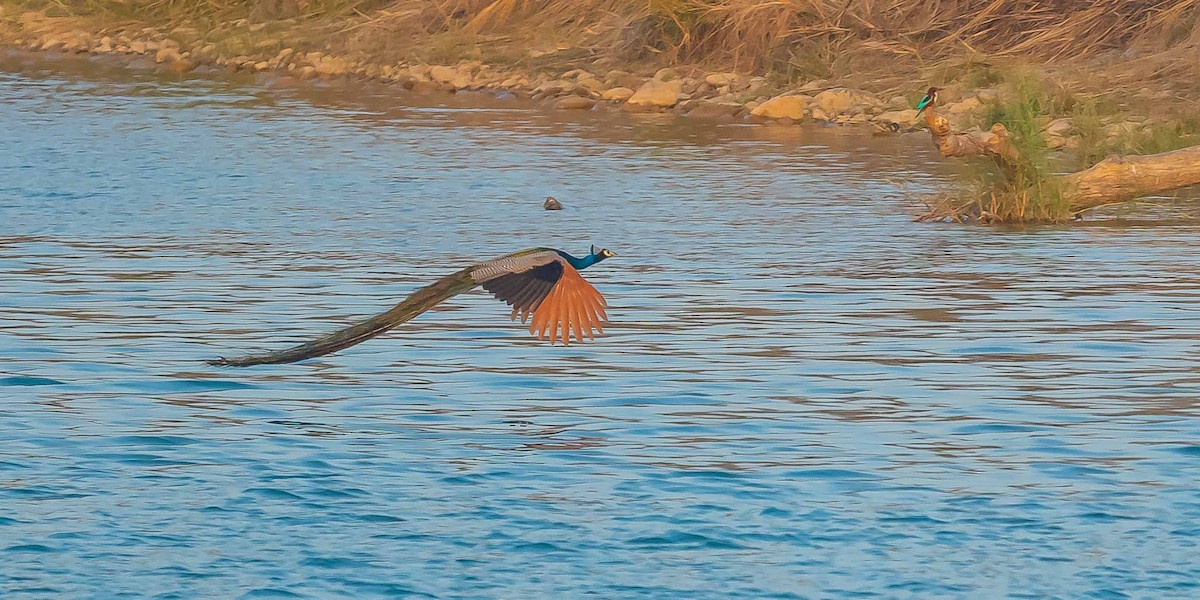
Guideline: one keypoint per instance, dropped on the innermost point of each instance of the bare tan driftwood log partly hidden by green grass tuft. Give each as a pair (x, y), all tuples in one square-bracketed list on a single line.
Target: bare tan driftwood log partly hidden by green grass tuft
[(1113, 181)]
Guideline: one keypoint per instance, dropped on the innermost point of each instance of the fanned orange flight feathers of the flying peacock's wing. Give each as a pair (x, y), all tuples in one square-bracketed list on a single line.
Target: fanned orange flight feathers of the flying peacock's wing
[(572, 308)]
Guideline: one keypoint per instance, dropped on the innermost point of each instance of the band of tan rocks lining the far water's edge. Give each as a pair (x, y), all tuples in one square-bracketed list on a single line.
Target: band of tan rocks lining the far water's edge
[(687, 92)]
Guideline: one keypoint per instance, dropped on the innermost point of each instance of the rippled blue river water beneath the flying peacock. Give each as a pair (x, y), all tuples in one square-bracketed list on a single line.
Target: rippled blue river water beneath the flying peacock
[(802, 393)]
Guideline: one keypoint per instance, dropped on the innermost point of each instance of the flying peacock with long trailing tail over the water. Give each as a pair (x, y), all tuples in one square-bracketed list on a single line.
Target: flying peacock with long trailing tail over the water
[(542, 286)]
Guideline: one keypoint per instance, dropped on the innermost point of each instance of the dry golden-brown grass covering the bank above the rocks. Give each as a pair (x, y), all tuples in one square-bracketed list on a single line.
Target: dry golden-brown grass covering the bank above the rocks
[(796, 39)]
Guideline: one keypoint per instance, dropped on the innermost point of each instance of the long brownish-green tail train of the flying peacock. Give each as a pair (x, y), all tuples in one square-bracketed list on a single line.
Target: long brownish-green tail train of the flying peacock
[(416, 304)]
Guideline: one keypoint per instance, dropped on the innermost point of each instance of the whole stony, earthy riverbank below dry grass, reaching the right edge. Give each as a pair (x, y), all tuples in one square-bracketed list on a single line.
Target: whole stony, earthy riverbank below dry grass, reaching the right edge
[(328, 45)]
